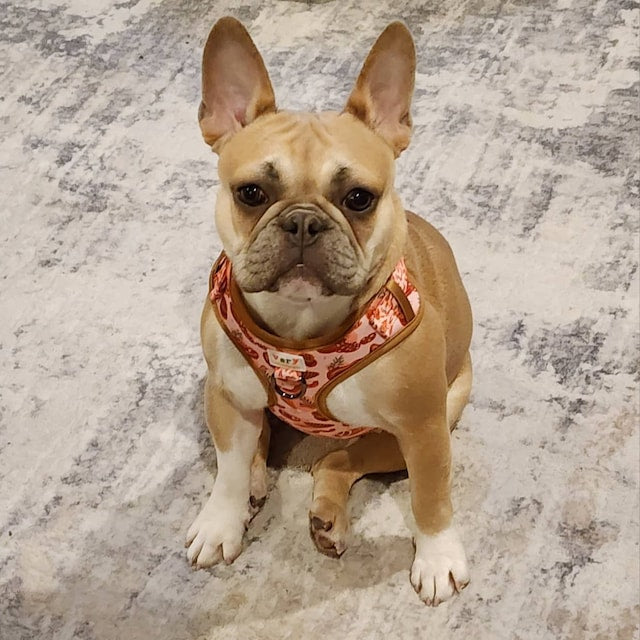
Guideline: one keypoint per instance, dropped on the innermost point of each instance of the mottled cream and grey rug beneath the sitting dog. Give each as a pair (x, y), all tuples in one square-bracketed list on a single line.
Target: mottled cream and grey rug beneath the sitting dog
[(525, 154)]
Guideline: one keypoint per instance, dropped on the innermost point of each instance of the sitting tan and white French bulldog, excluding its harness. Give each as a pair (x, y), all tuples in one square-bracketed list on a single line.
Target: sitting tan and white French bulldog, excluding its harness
[(334, 174)]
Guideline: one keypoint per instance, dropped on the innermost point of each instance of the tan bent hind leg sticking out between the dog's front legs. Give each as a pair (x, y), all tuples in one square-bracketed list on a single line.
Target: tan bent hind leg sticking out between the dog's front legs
[(335, 474)]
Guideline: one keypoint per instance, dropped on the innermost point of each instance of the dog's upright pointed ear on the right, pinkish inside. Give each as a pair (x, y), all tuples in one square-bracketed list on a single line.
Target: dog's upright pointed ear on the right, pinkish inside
[(382, 95)]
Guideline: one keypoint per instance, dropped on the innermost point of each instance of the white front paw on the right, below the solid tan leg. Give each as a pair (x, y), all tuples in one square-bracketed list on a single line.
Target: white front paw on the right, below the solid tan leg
[(440, 566)]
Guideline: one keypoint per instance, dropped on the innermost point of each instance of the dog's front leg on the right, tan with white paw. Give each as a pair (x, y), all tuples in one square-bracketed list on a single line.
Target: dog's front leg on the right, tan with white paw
[(440, 565)]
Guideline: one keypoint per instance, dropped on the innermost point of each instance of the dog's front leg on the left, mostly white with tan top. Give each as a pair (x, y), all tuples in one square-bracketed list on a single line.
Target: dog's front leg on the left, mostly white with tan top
[(217, 532)]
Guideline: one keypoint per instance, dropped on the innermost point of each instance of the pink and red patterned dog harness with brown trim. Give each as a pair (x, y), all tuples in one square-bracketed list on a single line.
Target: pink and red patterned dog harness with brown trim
[(299, 376)]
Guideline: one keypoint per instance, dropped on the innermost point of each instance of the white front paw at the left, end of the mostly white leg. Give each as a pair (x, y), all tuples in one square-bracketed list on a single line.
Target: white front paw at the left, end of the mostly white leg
[(216, 534)]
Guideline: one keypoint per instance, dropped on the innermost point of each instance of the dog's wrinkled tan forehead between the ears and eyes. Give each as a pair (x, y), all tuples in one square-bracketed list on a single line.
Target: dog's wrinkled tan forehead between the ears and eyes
[(308, 152)]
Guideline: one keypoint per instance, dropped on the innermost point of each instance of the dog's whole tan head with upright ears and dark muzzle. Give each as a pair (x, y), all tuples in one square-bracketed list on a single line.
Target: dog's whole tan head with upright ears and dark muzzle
[(306, 201)]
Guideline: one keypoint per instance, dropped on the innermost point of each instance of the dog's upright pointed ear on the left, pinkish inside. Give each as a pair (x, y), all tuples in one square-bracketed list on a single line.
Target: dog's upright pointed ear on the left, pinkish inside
[(235, 84)]
